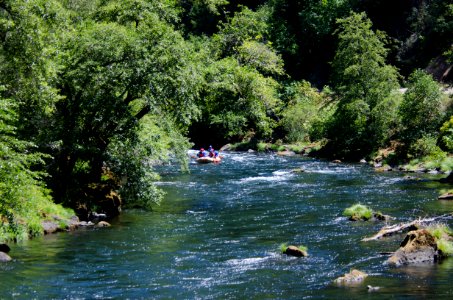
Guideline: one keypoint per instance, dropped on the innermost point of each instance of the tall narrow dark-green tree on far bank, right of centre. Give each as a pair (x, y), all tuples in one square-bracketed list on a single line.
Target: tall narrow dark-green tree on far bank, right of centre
[(362, 81)]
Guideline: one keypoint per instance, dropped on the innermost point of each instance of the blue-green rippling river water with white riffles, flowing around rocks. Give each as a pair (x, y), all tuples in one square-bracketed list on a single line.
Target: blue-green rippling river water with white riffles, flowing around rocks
[(217, 235)]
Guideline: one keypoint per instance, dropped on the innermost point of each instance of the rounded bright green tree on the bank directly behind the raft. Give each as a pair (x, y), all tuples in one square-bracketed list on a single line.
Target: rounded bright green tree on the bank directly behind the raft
[(240, 100)]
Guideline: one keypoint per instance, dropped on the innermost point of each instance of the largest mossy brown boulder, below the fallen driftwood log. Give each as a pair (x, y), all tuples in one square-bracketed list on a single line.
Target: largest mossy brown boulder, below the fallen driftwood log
[(418, 246)]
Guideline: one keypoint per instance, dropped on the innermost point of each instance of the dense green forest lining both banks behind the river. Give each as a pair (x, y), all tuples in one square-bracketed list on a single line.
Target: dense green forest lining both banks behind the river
[(94, 93)]
